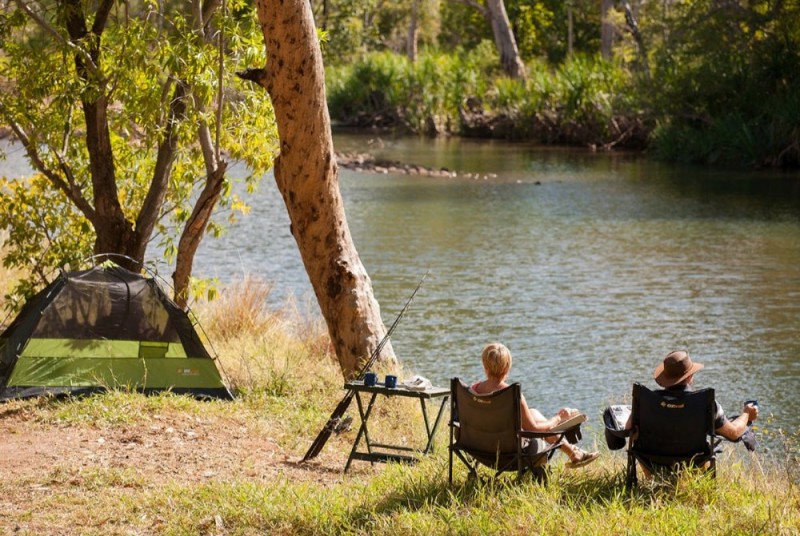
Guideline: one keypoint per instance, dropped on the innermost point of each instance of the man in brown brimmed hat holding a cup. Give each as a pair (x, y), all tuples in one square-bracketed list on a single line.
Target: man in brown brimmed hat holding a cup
[(677, 372)]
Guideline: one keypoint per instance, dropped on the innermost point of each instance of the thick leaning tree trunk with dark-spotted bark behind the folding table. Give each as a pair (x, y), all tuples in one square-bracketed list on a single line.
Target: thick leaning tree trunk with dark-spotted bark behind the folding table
[(308, 178)]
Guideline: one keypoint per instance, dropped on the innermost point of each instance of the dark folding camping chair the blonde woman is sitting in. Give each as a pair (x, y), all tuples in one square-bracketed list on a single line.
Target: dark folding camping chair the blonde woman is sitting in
[(486, 430)]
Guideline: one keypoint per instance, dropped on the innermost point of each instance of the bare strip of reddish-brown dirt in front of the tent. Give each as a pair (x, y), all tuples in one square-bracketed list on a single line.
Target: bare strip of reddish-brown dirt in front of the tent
[(184, 448)]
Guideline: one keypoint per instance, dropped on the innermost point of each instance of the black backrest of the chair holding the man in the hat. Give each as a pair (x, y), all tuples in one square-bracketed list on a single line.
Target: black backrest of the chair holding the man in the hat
[(673, 423)]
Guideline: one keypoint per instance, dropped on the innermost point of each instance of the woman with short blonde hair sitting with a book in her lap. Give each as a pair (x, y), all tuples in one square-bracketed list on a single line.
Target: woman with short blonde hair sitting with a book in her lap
[(497, 364)]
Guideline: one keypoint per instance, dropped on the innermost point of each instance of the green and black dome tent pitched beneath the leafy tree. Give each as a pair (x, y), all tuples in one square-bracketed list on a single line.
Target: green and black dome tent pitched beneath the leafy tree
[(105, 327)]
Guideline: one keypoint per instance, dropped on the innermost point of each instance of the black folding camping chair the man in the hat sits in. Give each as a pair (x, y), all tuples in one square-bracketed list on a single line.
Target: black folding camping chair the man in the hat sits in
[(671, 429)]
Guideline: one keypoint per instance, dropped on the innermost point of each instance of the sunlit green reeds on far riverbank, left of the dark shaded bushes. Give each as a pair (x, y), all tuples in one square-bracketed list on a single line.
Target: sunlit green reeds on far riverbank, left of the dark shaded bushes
[(581, 102)]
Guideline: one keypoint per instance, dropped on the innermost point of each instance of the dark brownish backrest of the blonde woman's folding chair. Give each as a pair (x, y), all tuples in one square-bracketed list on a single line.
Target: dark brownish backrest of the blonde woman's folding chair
[(488, 423)]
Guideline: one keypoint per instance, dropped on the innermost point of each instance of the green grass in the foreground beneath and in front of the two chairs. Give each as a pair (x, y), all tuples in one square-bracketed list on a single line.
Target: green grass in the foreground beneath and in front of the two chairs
[(417, 500)]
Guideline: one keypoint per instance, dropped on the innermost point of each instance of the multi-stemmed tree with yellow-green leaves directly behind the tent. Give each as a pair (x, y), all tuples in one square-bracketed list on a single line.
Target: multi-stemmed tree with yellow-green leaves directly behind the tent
[(128, 113)]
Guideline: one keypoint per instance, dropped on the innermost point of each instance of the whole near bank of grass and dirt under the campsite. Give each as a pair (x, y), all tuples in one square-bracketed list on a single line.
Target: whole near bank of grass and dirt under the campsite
[(280, 364)]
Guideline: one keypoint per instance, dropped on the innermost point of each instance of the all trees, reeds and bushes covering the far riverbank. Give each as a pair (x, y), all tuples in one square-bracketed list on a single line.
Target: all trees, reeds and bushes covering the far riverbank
[(699, 81)]
